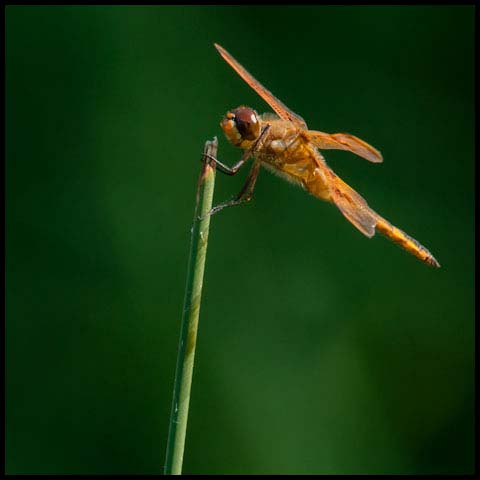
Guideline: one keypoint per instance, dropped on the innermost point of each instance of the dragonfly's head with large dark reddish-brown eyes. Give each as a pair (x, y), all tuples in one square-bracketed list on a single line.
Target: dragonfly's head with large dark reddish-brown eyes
[(241, 126)]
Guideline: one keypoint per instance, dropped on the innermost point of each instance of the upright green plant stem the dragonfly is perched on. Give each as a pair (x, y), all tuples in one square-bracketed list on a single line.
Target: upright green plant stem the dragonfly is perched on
[(191, 310)]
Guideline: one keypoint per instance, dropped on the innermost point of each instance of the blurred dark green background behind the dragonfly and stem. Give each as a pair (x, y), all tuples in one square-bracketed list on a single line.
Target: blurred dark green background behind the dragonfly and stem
[(319, 350)]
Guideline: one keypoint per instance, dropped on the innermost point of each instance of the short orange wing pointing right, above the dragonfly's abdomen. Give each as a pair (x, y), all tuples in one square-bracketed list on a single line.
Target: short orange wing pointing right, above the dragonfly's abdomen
[(344, 141)]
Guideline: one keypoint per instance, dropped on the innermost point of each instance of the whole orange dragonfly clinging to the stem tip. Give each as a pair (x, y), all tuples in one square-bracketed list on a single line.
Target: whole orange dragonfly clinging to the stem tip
[(282, 143)]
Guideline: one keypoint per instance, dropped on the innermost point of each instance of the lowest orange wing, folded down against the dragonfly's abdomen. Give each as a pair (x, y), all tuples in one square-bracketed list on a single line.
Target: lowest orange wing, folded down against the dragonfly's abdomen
[(353, 206)]
